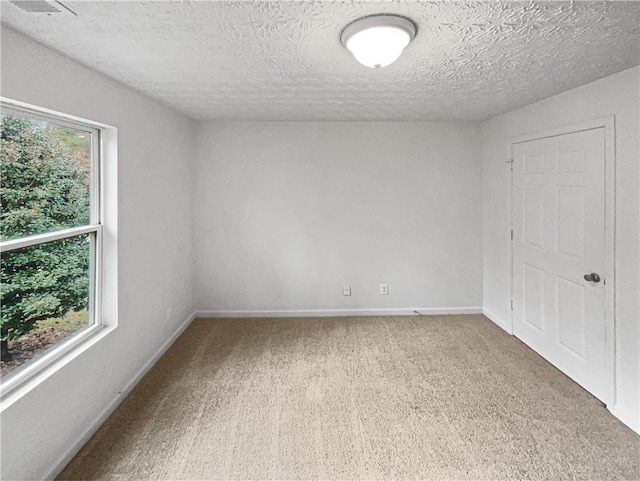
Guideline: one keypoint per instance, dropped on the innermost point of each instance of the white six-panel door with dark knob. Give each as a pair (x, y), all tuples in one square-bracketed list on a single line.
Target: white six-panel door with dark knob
[(558, 239)]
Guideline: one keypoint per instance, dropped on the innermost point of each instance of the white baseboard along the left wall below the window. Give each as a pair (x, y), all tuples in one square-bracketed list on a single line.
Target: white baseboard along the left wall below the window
[(111, 407)]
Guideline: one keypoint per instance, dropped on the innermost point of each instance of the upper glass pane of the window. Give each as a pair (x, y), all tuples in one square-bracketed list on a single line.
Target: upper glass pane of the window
[(45, 176)]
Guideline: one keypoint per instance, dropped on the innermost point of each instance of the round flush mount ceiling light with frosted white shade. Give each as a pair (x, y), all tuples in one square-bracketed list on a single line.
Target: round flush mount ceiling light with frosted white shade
[(378, 40)]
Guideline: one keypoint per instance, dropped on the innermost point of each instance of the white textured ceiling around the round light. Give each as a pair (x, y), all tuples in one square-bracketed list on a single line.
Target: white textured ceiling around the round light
[(284, 61)]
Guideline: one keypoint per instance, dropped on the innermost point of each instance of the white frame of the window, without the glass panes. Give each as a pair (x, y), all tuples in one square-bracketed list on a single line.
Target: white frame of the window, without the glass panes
[(63, 349)]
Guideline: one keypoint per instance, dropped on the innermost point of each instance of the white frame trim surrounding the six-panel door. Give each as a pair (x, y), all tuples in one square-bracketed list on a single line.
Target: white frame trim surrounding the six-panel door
[(608, 123)]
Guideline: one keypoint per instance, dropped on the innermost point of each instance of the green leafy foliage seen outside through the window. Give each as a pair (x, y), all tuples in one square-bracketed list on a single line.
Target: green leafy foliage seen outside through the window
[(44, 172)]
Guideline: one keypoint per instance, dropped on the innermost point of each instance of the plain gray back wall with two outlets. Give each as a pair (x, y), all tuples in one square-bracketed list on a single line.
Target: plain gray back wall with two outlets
[(289, 212)]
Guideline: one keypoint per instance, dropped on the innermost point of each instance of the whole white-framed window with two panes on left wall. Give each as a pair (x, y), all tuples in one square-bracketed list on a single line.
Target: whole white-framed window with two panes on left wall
[(51, 237)]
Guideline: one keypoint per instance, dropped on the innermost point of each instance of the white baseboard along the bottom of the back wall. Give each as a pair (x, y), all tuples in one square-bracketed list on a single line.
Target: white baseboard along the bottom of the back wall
[(409, 311)]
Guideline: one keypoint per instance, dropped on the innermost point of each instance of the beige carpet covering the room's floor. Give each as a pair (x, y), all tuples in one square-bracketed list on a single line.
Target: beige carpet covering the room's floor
[(451, 397)]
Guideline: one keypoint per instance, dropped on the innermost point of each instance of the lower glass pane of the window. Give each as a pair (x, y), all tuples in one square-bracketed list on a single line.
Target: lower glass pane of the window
[(45, 297)]
